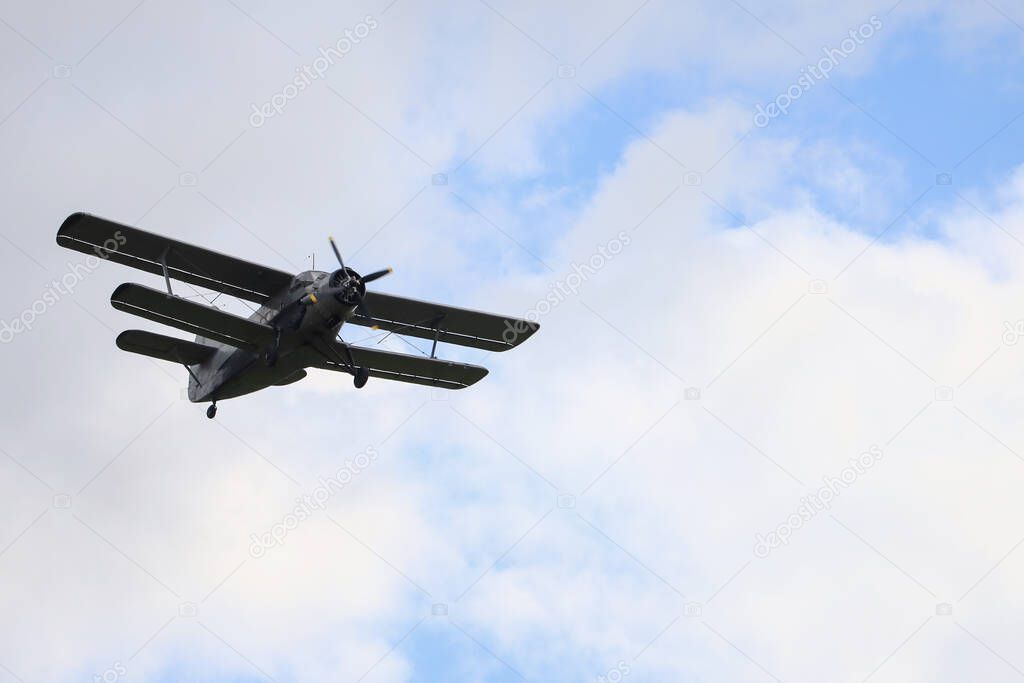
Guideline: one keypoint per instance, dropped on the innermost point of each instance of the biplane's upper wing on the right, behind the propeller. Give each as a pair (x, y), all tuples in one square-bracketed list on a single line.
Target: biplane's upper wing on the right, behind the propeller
[(455, 326)]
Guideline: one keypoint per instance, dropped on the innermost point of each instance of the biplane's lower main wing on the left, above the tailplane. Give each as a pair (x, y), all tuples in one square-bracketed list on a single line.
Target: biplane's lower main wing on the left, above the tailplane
[(191, 317)]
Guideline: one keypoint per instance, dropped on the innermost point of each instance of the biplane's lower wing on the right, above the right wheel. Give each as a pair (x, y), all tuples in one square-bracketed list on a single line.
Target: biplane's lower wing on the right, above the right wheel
[(389, 366)]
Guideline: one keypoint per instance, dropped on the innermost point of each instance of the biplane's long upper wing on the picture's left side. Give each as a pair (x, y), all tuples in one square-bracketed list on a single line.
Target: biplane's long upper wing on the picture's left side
[(146, 251)]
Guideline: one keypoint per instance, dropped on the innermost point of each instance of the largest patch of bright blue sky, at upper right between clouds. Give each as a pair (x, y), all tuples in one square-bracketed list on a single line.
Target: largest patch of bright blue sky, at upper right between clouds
[(923, 107)]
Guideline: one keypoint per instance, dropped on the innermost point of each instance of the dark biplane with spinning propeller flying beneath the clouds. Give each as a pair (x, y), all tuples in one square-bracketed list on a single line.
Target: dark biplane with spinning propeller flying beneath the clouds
[(296, 326)]
